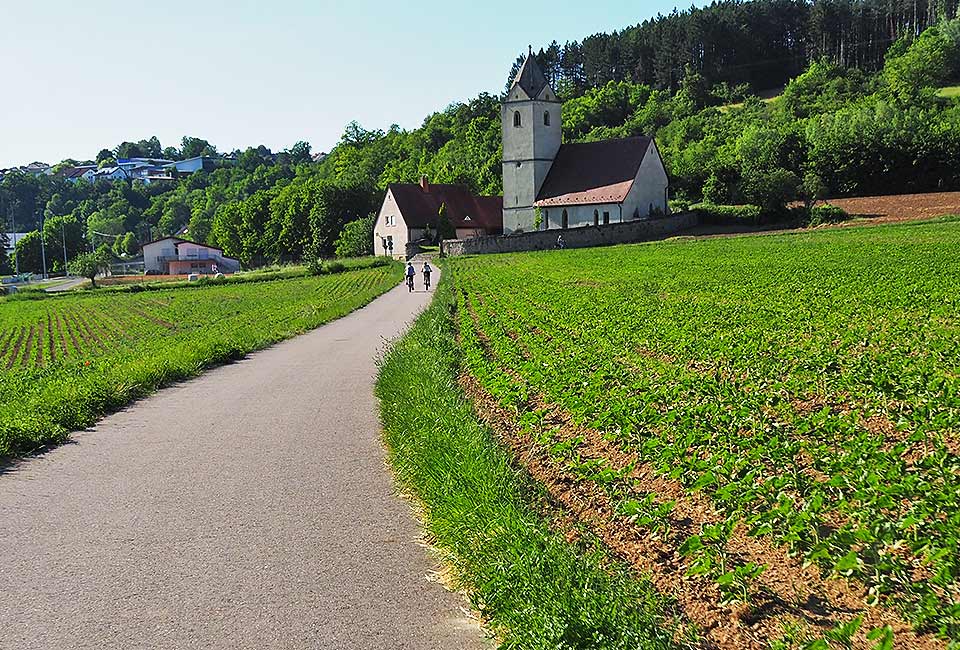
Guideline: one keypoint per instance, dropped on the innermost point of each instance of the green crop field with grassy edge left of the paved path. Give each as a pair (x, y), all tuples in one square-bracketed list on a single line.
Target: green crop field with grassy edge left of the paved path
[(65, 360)]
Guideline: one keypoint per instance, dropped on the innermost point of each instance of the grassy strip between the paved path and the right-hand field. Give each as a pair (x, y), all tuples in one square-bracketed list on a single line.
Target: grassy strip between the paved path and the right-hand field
[(532, 587)]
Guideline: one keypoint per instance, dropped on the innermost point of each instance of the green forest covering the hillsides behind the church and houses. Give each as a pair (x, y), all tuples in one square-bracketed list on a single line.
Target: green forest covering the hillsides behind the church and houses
[(859, 114)]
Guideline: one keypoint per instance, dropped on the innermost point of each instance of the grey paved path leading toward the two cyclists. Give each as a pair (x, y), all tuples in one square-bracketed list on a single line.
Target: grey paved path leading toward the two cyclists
[(249, 508)]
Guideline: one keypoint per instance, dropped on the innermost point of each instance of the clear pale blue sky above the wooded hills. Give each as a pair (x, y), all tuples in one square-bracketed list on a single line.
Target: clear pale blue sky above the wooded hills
[(80, 76)]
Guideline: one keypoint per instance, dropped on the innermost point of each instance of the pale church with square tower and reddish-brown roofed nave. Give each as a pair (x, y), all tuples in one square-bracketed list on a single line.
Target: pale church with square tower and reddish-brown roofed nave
[(551, 185)]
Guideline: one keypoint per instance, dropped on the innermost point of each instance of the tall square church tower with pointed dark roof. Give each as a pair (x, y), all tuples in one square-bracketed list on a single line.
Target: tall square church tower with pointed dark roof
[(530, 118)]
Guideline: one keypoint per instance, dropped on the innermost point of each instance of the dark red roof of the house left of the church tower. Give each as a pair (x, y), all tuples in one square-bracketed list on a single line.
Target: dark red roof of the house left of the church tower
[(420, 206)]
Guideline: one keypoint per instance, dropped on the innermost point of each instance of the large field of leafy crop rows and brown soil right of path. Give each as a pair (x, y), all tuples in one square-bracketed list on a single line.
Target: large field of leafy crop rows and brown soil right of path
[(766, 427)]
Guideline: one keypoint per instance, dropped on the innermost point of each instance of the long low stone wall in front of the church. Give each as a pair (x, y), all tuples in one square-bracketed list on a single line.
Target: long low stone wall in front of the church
[(615, 233)]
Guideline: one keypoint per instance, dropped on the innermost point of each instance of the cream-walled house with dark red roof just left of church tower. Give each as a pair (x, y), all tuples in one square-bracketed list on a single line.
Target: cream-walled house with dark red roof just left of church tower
[(412, 212)]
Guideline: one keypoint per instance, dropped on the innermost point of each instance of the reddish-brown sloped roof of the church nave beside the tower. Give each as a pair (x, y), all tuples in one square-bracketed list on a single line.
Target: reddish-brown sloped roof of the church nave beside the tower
[(584, 173)]
